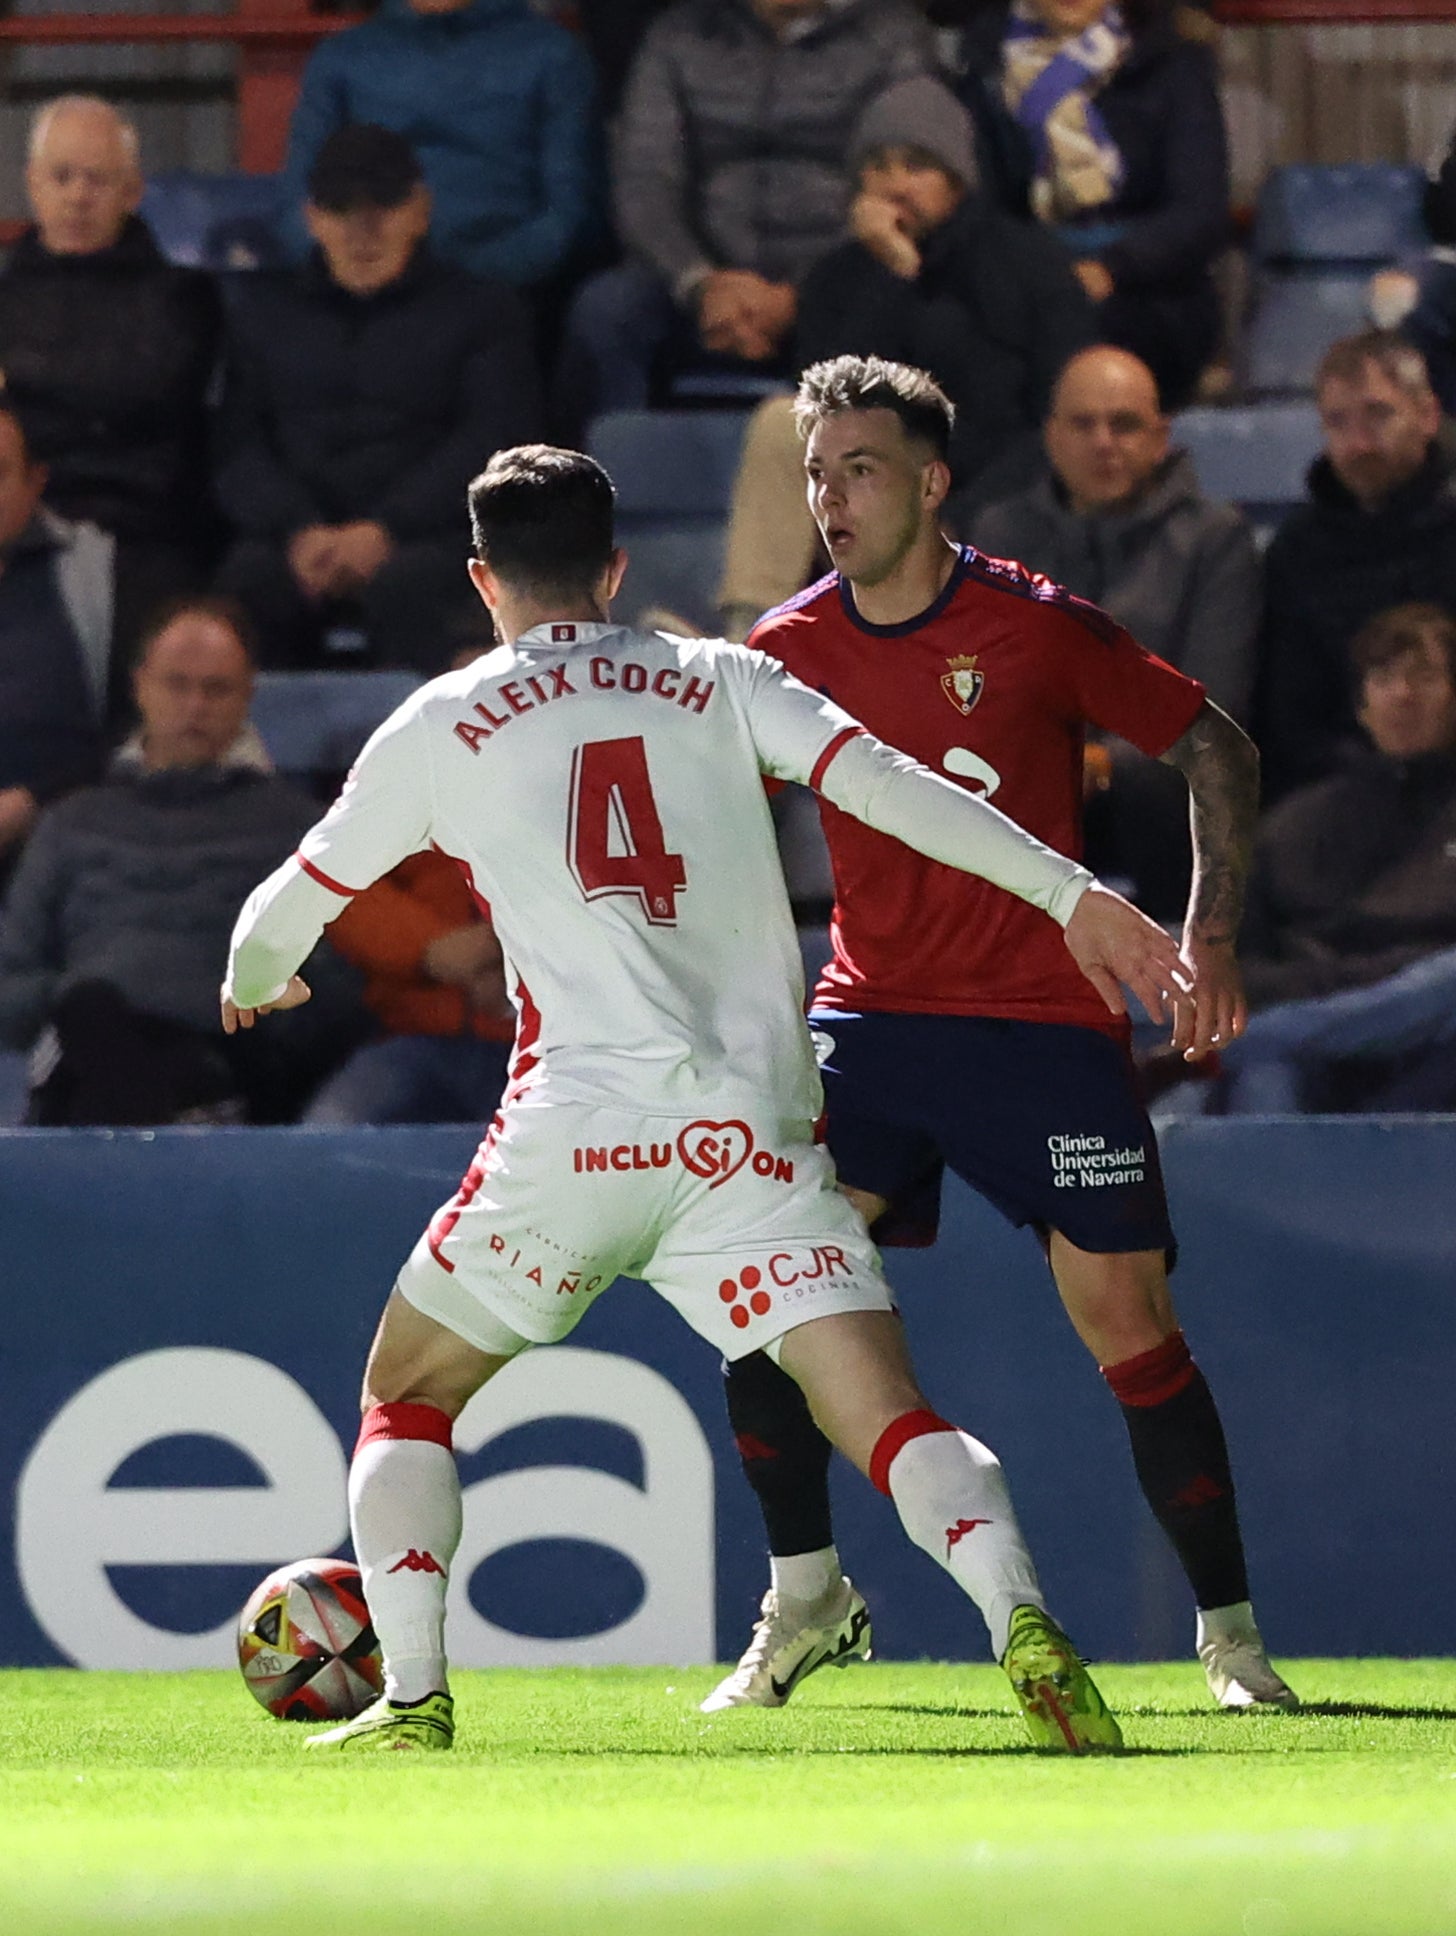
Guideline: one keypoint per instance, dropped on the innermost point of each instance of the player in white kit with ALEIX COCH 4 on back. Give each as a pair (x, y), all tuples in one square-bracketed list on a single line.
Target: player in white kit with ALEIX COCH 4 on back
[(603, 795)]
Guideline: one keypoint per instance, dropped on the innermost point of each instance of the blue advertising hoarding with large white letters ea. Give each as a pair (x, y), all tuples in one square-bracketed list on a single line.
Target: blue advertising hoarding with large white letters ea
[(189, 1312)]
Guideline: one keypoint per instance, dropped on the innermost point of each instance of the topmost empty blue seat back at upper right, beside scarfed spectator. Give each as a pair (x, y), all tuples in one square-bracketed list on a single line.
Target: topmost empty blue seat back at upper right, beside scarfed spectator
[(1354, 214)]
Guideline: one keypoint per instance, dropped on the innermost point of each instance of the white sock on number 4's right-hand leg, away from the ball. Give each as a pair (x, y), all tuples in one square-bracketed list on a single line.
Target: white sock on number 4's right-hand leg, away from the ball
[(955, 1505)]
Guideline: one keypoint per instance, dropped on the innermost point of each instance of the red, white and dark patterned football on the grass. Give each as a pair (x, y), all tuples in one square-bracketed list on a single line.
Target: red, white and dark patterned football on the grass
[(307, 1645)]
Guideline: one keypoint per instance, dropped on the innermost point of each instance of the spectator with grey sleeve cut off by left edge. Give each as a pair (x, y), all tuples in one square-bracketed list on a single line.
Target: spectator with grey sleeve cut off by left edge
[(55, 646)]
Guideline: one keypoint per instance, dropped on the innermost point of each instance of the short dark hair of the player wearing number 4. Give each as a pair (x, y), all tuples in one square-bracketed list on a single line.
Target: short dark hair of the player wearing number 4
[(543, 520)]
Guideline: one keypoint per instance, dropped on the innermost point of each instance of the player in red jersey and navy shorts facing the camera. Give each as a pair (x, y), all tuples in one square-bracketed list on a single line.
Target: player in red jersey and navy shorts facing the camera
[(954, 1033)]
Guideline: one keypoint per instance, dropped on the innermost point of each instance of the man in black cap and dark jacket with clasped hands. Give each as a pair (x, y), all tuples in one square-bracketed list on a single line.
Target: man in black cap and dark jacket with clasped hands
[(365, 390)]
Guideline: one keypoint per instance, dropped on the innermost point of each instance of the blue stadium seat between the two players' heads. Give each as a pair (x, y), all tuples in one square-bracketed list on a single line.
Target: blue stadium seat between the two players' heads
[(675, 475)]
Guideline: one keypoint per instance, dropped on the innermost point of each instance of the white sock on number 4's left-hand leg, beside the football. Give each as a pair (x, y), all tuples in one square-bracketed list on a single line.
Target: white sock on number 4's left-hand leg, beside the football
[(406, 1513)]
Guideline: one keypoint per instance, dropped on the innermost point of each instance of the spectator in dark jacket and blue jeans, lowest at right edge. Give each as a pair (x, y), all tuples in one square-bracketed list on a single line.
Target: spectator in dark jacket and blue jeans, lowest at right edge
[(1350, 934)]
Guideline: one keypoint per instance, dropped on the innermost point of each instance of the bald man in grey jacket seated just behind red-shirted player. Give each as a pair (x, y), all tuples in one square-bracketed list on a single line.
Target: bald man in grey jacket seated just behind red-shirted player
[(1120, 520)]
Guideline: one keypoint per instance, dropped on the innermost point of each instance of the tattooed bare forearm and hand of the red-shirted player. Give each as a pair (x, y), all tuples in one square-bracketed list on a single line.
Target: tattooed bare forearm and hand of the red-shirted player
[(1221, 764)]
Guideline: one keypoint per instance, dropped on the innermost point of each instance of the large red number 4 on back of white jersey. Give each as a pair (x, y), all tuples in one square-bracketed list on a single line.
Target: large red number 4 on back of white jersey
[(615, 839)]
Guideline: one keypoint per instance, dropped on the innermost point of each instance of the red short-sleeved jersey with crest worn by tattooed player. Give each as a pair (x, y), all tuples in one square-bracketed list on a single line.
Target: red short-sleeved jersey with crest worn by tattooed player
[(992, 688)]
